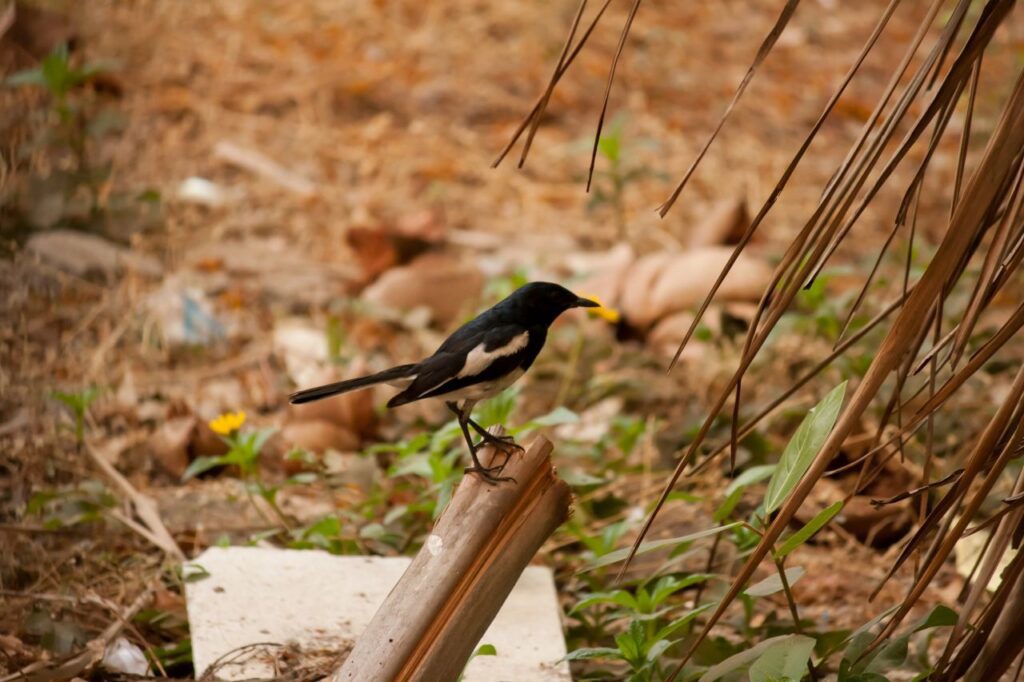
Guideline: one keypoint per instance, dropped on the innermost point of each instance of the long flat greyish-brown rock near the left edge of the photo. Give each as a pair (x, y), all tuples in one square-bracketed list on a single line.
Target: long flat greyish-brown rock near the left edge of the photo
[(87, 255)]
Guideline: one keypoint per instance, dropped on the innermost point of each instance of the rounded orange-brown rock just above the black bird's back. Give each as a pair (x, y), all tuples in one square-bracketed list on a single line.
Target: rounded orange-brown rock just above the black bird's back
[(437, 282)]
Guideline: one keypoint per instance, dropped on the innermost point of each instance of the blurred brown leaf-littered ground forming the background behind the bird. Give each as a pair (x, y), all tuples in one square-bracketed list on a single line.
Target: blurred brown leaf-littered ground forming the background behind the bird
[(208, 205)]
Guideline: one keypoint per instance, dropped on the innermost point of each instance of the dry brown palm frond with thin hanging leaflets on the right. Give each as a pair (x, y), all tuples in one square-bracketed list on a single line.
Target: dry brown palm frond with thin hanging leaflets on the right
[(914, 116)]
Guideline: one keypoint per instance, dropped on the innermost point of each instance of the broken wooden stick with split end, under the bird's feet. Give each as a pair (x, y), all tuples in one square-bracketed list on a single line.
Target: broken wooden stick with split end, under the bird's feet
[(435, 617)]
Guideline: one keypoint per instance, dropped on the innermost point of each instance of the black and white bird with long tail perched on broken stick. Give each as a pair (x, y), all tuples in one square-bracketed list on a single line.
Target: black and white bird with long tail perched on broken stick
[(481, 360)]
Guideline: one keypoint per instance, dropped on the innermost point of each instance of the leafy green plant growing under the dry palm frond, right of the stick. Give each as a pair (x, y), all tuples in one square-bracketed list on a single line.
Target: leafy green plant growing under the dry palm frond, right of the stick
[(659, 620)]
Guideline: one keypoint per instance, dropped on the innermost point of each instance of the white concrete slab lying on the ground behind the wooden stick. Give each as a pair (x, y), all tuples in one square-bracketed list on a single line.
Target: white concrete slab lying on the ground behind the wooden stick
[(320, 602)]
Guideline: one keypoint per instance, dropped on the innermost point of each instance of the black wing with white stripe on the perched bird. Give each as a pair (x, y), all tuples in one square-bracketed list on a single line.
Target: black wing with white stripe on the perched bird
[(477, 358)]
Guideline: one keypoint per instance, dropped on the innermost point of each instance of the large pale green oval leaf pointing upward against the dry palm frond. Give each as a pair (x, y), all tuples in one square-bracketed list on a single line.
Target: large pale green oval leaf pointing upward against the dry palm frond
[(803, 447)]
